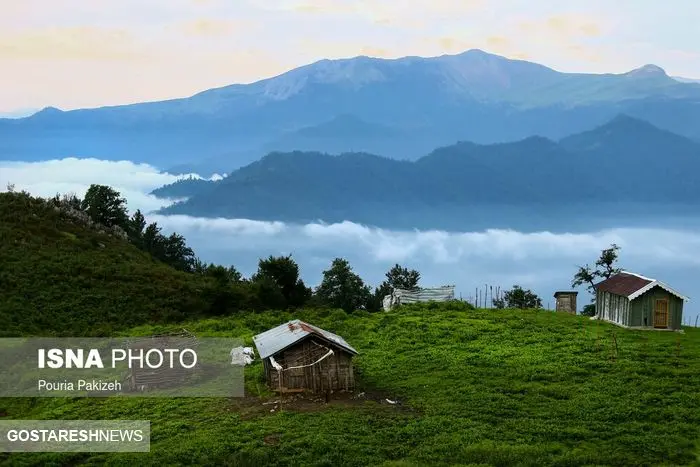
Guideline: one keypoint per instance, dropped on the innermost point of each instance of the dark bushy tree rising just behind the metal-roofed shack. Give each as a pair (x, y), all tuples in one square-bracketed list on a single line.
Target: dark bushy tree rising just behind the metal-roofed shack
[(283, 272)]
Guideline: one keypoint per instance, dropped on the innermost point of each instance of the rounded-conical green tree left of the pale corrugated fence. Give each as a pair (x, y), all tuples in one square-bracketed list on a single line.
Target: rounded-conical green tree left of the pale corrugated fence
[(342, 288)]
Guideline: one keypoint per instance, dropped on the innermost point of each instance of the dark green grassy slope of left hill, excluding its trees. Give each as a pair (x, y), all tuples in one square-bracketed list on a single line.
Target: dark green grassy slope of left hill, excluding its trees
[(61, 277)]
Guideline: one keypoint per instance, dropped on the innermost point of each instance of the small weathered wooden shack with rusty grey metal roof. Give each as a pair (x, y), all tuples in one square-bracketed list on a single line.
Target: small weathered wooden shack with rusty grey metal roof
[(299, 357)]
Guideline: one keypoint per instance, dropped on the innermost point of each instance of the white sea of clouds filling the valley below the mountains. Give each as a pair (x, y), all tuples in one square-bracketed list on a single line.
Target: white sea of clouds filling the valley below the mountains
[(542, 261)]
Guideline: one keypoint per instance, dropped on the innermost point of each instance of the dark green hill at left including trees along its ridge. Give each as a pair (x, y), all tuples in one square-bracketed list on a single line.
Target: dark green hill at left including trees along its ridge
[(63, 276)]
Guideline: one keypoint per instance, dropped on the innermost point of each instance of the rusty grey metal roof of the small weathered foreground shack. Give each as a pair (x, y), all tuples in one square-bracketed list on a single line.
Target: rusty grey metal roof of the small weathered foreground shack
[(276, 339)]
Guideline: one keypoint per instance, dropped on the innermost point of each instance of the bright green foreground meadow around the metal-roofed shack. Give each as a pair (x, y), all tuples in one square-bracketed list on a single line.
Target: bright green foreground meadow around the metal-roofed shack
[(475, 388)]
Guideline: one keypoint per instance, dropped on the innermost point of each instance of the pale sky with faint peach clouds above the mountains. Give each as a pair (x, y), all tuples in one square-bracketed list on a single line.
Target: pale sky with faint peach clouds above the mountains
[(89, 53)]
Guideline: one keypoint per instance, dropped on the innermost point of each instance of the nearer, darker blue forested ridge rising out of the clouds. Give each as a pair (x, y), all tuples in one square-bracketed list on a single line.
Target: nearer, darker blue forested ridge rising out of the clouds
[(625, 167)]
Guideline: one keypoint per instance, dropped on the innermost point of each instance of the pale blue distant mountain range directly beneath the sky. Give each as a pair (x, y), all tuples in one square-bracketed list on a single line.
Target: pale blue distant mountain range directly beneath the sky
[(398, 108)]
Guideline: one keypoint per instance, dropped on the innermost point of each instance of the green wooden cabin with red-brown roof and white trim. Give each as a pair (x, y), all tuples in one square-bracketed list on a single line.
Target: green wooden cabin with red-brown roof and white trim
[(634, 301)]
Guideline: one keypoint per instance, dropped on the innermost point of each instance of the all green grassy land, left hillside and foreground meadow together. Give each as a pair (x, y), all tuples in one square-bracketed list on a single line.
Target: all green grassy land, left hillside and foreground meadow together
[(475, 387)]
